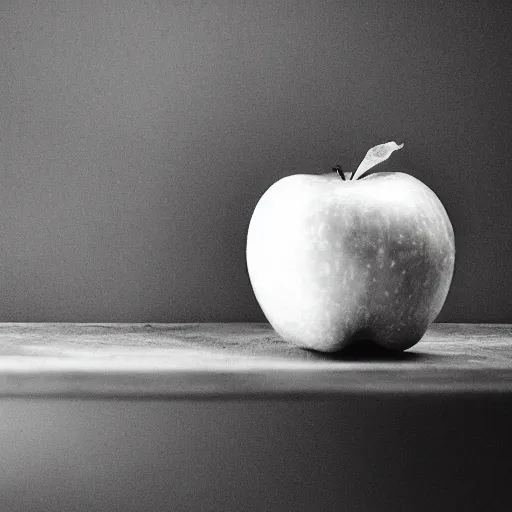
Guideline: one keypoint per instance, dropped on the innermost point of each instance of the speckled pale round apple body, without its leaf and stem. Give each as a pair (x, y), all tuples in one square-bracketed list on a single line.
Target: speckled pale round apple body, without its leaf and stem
[(332, 262)]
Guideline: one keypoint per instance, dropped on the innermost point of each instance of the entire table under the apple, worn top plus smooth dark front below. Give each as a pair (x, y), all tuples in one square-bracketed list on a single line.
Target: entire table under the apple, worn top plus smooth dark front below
[(230, 417)]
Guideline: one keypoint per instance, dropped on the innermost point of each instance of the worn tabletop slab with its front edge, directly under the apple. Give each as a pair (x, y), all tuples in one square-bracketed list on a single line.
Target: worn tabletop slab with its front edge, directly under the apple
[(240, 359)]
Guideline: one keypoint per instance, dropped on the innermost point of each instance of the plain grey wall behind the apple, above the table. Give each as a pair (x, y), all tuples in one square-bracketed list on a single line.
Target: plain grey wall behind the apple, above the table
[(136, 138)]
